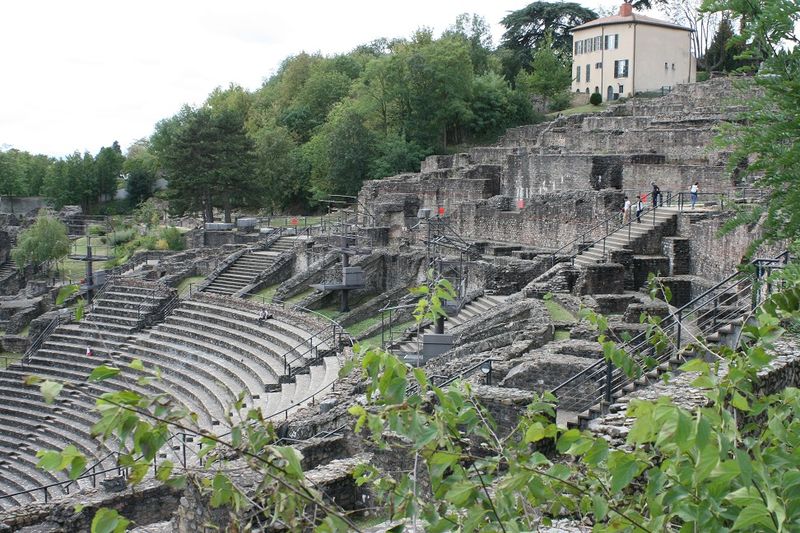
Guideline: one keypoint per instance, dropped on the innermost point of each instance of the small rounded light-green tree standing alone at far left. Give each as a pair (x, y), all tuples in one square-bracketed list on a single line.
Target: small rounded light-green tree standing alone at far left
[(43, 243)]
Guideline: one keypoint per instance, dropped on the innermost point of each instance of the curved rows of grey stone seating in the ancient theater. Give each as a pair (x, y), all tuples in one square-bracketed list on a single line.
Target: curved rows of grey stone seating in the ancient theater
[(209, 350)]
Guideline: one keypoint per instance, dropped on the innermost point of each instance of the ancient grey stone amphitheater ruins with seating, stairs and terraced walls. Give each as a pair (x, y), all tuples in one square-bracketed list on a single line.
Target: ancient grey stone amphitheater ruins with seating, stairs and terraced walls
[(528, 231)]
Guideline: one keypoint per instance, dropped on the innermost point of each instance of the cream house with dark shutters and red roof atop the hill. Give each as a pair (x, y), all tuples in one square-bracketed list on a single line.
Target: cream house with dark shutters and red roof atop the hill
[(630, 53)]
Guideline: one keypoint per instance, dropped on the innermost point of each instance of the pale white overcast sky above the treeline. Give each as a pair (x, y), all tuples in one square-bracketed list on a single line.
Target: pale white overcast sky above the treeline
[(80, 75)]
